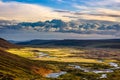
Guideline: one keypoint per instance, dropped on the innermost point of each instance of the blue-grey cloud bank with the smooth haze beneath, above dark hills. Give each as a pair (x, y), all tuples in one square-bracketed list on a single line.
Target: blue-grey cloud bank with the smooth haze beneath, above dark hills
[(58, 29)]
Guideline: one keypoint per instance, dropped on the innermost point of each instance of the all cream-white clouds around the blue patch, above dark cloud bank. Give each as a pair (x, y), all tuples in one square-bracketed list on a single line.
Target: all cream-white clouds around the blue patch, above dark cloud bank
[(32, 12)]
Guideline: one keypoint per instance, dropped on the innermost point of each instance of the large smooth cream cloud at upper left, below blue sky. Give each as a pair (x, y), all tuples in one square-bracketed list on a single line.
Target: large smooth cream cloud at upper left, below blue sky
[(27, 12)]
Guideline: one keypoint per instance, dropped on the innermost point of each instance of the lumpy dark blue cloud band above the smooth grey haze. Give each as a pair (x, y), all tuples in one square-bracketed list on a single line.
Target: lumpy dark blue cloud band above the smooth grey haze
[(79, 26)]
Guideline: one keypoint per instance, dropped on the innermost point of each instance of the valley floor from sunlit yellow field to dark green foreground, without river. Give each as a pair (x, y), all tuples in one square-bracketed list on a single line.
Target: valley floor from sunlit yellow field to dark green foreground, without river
[(58, 59)]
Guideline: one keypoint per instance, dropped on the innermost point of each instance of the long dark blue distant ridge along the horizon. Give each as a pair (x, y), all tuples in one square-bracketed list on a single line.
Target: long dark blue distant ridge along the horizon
[(103, 43)]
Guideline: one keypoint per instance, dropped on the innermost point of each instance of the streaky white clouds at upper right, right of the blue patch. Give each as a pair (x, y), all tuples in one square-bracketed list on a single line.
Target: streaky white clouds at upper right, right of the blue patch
[(99, 11)]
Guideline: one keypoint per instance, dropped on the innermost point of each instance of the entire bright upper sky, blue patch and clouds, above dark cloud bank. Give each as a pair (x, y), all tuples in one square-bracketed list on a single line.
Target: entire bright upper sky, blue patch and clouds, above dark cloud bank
[(67, 10)]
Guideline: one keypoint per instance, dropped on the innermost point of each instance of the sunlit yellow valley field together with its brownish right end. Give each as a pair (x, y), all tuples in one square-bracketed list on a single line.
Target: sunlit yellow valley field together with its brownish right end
[(65, 54)]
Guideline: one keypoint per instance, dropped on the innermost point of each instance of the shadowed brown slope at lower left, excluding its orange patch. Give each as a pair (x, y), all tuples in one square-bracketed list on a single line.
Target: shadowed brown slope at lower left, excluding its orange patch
[(13, 66)]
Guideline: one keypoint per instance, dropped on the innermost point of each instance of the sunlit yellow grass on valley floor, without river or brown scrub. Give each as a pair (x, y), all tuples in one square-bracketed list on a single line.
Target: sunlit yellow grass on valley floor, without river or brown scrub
[(56, 54)]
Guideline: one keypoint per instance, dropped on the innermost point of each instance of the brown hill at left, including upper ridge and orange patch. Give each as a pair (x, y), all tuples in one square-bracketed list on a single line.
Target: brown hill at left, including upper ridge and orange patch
[(13, 67)]
